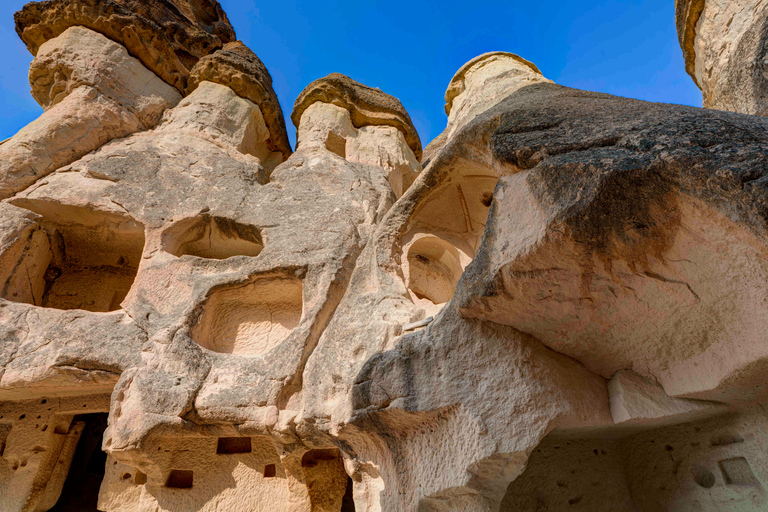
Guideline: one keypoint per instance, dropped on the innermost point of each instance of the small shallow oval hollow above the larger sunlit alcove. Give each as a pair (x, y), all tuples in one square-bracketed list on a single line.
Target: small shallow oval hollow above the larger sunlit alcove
[(212, 237)]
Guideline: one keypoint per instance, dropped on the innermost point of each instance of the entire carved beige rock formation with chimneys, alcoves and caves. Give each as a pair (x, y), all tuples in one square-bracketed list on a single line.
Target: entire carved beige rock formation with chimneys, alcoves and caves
[(558, 305)]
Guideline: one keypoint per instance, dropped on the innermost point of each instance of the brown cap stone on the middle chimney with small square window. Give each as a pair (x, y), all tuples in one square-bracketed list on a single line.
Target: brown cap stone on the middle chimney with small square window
[(366, 105)]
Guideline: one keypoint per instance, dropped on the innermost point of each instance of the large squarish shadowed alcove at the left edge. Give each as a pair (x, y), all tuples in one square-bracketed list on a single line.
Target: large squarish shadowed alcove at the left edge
[(75, 258)]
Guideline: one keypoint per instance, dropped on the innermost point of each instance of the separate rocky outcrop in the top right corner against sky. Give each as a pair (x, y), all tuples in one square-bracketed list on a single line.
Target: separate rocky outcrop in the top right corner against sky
[(725, 44)]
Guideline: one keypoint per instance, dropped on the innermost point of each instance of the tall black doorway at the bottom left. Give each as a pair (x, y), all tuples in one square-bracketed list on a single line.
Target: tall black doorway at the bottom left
[(81, 489)]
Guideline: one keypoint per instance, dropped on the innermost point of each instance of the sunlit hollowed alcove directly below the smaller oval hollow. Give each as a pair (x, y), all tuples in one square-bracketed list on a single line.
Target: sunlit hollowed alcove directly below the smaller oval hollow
[(250, 319)]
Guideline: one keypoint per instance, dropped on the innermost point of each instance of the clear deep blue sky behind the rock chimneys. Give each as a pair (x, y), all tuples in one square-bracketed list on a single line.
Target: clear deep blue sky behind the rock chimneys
[(411, 49)]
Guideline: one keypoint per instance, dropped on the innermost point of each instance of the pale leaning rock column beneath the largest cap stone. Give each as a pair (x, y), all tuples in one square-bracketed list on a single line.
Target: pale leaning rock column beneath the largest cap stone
[(94, 92)]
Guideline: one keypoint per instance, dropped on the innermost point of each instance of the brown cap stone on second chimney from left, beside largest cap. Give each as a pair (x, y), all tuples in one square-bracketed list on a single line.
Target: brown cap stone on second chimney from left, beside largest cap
[(237, 67)]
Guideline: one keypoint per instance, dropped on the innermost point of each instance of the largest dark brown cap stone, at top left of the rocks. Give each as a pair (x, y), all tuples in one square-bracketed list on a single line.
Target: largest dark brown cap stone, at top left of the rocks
[(167, 36)]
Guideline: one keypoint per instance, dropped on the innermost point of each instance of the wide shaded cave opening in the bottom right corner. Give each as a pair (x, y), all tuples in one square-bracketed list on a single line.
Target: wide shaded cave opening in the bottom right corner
[(712, 464)]
